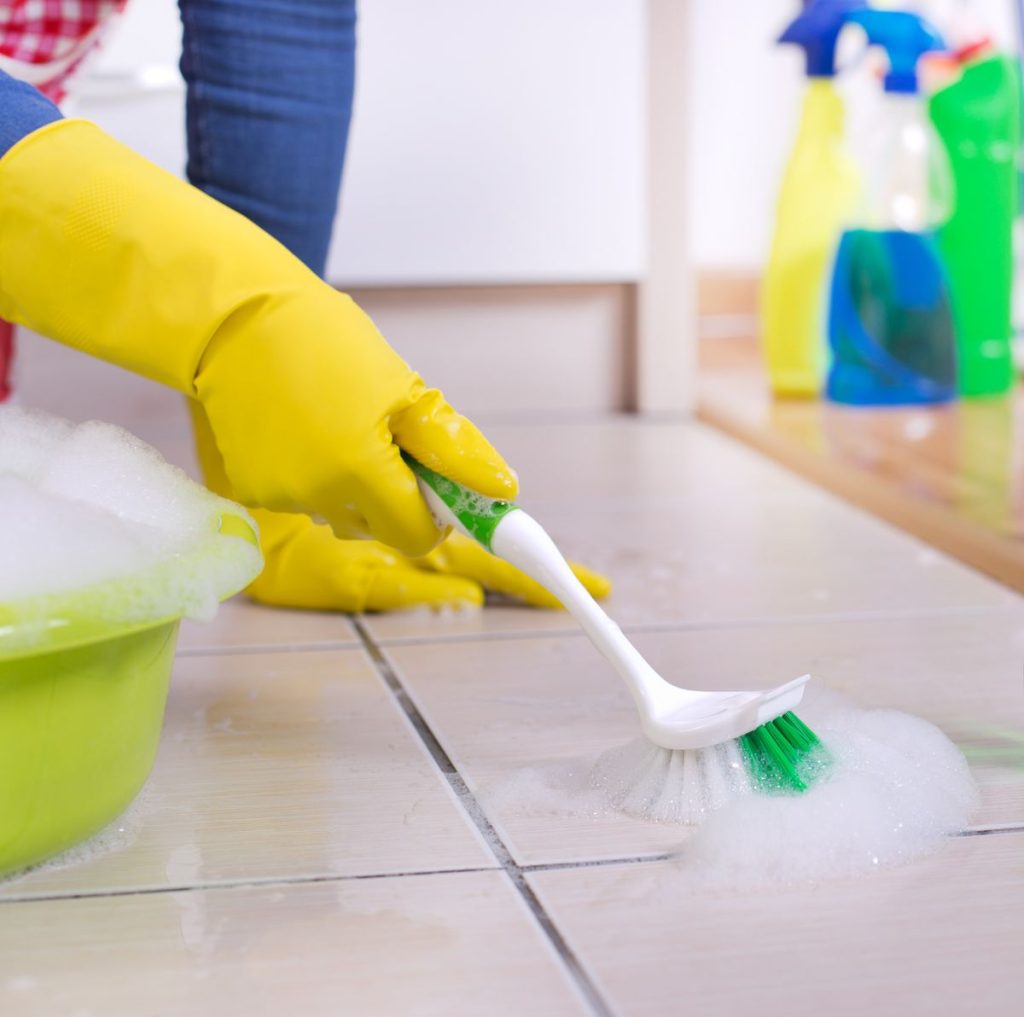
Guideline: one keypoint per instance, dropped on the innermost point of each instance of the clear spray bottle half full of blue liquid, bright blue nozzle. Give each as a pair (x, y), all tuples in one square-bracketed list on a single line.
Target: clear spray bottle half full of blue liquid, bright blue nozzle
[(890, 321)]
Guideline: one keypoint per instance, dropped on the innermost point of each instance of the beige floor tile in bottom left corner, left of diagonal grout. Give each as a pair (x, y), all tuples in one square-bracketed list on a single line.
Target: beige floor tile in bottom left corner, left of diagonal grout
[(449, 945)]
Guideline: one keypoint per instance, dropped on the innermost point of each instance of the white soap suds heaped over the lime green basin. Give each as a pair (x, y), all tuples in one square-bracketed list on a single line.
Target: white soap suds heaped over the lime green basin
[(96, 523)]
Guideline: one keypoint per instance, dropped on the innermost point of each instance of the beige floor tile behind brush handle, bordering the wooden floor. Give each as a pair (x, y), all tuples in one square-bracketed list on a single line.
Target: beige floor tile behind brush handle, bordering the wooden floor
[(694, 529)]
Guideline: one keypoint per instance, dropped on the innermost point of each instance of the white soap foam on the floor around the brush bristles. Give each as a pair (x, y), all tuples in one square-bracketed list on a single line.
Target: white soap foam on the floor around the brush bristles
[(897, 788)]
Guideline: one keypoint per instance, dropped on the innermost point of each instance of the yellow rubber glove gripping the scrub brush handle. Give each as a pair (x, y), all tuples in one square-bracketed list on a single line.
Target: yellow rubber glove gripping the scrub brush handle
[(104, 251)]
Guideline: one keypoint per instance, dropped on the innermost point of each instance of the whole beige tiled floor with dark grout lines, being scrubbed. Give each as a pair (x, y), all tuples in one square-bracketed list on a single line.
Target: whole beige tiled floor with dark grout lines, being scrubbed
[(318, 836)]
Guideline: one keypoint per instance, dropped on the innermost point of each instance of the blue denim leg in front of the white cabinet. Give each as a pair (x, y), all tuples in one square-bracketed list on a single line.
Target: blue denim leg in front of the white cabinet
[(270, 100)]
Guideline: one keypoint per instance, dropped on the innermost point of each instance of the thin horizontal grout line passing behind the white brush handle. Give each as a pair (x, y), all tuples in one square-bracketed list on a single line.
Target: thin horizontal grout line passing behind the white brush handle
[(653, 628)]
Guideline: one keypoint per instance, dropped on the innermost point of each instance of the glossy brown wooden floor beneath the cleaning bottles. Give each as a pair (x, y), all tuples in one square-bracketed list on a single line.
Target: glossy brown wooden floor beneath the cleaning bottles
[(955, 469)]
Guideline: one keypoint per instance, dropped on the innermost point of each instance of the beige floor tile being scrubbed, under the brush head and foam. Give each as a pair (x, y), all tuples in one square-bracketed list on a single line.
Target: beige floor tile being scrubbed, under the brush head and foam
[(501, 707)]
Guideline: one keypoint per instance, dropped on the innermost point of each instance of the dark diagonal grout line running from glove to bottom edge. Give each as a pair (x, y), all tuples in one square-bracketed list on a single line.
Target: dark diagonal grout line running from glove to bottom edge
[(468, 800)]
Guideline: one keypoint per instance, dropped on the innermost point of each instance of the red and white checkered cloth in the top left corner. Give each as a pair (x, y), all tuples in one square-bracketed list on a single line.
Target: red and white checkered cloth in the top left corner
[(50, 38)]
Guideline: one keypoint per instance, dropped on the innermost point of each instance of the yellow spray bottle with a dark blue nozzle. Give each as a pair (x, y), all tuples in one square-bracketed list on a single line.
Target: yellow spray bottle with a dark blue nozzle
[(820, 188)]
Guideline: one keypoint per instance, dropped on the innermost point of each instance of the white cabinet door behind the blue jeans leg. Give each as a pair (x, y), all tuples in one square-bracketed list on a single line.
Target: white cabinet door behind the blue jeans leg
[(492, 143)]
